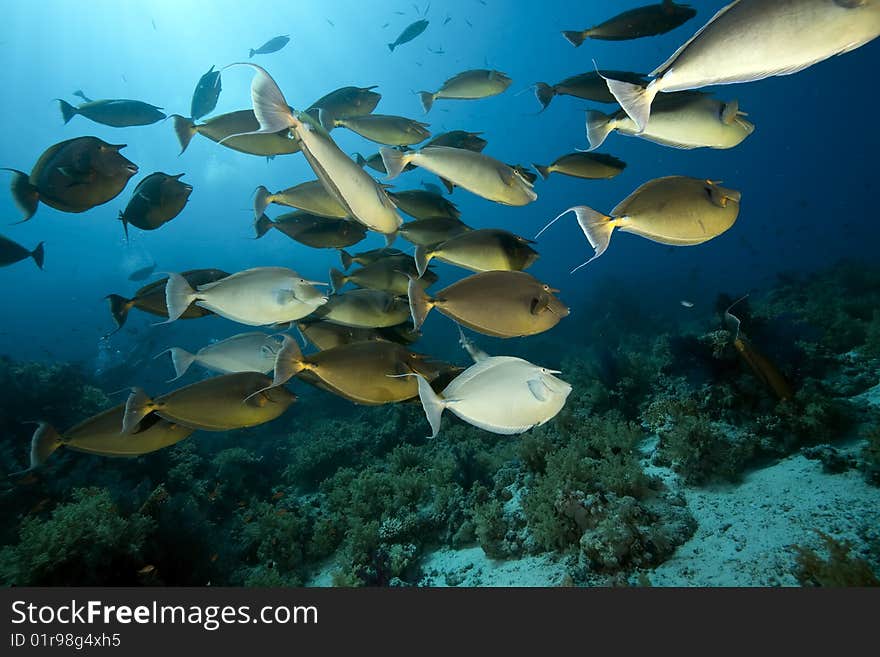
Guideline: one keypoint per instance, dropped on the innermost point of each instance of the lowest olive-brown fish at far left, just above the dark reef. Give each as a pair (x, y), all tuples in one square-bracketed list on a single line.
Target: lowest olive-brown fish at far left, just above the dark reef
[(102, 435)]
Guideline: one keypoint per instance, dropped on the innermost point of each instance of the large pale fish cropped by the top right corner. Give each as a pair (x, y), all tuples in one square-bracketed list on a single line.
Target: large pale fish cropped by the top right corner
[(751, 40)]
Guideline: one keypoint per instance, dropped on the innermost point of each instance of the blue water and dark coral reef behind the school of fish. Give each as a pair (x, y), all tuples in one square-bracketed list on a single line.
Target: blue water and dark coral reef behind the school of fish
[(662, 409)]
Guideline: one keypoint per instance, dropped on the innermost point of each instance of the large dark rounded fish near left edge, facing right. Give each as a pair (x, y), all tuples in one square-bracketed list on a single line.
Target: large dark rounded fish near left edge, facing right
[(73, 176)]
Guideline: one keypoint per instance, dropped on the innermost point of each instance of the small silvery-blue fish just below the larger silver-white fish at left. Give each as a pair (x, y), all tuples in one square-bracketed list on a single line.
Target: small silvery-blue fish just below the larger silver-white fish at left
[(245, 352)]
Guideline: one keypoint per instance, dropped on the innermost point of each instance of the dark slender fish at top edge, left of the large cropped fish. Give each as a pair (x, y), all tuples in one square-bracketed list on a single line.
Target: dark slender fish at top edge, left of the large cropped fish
[(636, 23)]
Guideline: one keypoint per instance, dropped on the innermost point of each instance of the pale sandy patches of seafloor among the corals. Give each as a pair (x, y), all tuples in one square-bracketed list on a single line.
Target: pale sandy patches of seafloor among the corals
[(745, 531)]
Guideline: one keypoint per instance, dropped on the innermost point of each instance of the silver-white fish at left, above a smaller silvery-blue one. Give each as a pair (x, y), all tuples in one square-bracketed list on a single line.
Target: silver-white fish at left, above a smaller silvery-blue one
[(257, 297)]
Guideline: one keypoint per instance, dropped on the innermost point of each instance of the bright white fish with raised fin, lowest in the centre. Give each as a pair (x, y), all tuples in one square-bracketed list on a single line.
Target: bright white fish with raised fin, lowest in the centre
[(501, 394)]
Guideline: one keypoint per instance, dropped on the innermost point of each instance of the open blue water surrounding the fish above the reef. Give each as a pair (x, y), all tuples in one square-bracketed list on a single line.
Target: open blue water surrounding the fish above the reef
[(807, 177)]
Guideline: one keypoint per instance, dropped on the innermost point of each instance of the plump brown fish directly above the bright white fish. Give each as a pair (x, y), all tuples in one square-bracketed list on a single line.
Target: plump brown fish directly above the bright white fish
[(505, 304)]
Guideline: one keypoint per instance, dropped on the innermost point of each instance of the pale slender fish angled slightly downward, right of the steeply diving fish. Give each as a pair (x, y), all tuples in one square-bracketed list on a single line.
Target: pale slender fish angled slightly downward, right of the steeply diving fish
[(475, 172)]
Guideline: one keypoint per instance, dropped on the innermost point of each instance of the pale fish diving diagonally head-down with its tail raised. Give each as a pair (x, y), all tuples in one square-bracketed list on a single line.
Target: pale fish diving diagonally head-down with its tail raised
[(357, 192)]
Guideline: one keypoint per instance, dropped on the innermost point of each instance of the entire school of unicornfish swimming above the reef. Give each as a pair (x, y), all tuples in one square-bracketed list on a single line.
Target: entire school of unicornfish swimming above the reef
[(362, 335)]
